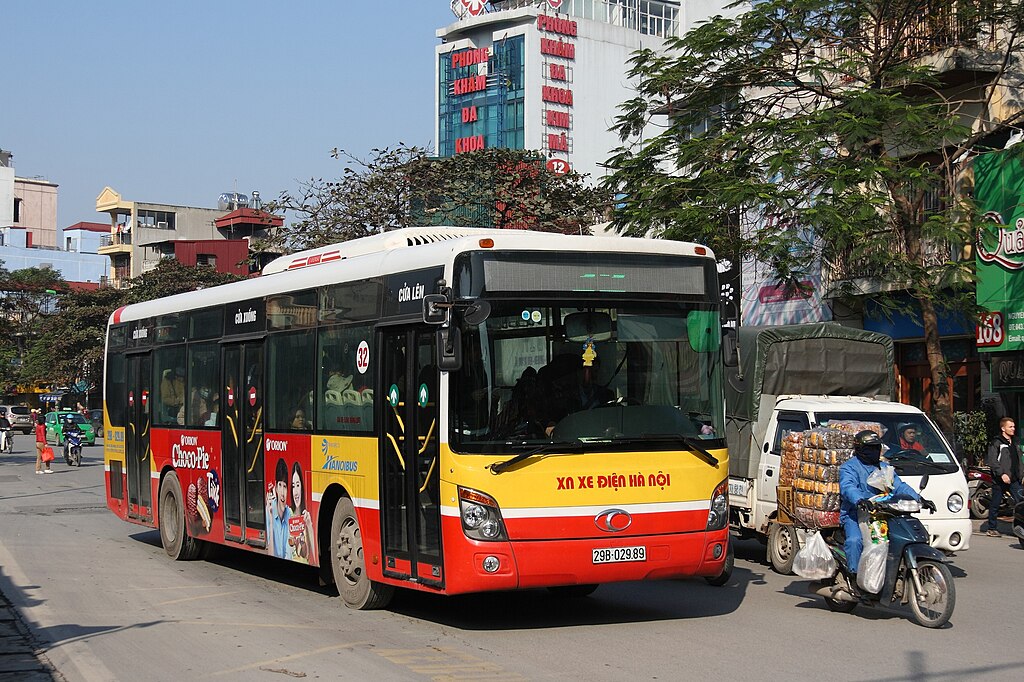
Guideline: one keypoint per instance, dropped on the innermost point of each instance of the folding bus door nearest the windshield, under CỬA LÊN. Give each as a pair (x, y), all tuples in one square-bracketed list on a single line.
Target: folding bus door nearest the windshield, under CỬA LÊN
[(409, 457)]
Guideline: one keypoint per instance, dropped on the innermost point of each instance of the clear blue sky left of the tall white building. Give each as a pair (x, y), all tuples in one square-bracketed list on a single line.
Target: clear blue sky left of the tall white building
[(179, 102)]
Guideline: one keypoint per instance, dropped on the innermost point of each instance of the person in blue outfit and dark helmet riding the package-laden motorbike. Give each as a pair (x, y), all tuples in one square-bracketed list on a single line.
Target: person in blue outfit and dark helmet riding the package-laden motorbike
[(855, 490)]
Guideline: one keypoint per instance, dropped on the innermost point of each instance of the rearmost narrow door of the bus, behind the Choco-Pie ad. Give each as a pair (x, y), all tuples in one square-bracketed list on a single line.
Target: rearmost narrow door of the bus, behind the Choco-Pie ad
[(139, 455)]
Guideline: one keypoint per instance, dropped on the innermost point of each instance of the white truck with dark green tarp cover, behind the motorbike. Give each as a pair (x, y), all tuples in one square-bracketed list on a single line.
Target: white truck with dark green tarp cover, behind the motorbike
[(793, 378)]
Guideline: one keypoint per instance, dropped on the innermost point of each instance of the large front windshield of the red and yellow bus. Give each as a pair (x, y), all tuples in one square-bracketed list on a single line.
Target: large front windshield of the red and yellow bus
[(609, 375)]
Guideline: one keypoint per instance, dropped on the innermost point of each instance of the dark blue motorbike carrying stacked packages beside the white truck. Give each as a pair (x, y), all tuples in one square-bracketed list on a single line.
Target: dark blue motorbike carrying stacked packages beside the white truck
[(916, 574)]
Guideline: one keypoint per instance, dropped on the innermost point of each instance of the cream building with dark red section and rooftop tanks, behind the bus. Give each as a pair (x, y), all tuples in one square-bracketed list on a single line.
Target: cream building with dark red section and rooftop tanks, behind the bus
[(142, 234)]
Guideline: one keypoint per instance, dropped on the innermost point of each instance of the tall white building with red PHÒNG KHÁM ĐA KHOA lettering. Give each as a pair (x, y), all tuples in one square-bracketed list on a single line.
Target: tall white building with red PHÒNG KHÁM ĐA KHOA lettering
[(546, 75)]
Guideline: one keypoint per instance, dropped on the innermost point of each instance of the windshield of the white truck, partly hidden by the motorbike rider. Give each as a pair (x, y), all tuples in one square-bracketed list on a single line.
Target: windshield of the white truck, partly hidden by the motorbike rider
[(911, 442)]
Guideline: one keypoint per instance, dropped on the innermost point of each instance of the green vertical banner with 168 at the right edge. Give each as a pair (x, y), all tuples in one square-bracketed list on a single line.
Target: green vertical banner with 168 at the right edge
[(1000, 251)]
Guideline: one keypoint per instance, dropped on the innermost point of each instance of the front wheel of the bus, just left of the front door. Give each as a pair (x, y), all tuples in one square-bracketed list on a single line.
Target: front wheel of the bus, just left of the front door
[(349, 566)]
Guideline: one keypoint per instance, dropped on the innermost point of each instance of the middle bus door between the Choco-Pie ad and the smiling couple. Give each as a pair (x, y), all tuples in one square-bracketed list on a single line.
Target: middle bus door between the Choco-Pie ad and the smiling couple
[(242, 444)]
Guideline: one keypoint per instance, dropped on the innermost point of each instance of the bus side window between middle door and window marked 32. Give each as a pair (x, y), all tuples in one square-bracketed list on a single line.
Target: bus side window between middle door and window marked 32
[(290, 381)]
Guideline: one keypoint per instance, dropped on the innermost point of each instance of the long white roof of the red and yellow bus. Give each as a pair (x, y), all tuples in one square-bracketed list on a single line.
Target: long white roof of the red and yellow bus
[(398, 251)]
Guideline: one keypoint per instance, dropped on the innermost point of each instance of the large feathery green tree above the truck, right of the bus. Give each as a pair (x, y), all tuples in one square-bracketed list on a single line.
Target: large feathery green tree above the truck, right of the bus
[(816, 133)]
